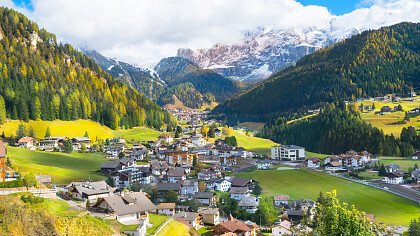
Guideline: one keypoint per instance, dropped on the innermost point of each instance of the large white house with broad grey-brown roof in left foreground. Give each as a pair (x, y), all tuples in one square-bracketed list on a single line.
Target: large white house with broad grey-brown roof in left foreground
[(128, 208)]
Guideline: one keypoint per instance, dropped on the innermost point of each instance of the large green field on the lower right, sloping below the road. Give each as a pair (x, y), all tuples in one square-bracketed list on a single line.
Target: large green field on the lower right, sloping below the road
[(303, 183)]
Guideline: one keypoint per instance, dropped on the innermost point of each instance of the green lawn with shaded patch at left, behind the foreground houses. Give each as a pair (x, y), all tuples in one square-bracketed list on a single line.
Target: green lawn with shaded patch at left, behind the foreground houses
[(64, 168)]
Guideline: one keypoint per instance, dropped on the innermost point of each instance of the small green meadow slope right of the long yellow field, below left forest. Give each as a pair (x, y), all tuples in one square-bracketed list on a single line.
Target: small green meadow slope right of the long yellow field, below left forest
[(137, 134)]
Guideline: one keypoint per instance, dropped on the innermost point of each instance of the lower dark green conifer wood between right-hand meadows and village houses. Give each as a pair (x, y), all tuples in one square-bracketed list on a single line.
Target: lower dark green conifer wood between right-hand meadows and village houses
[(336, 130)]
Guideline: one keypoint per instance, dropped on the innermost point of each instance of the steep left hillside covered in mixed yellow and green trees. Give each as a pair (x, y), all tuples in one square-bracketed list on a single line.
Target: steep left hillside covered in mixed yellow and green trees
[(42, 78)]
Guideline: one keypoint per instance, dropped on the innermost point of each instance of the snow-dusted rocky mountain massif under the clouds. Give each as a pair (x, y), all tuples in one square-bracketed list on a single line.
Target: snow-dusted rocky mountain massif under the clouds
[(263, 51)]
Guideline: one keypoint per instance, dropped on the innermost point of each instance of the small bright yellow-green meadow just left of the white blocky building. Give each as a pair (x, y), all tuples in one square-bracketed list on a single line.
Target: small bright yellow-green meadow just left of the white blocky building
[(254, 144)]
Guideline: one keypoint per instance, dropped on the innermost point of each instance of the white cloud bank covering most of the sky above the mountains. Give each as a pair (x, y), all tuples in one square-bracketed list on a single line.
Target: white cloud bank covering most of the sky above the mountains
[(144, 31)]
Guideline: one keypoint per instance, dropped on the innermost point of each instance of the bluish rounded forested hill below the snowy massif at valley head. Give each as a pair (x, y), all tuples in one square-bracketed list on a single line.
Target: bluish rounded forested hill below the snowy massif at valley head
[(177, 70)]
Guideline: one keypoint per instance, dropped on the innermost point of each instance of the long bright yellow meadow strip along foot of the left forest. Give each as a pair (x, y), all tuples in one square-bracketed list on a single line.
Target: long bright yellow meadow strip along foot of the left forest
[(78, 128)]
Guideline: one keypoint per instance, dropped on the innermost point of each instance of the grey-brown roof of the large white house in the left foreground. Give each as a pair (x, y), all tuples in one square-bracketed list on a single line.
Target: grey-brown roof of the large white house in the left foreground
[(130, 203)]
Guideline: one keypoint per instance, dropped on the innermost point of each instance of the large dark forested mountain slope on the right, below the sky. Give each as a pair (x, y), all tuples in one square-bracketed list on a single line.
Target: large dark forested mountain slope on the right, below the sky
[(370, 64)]
